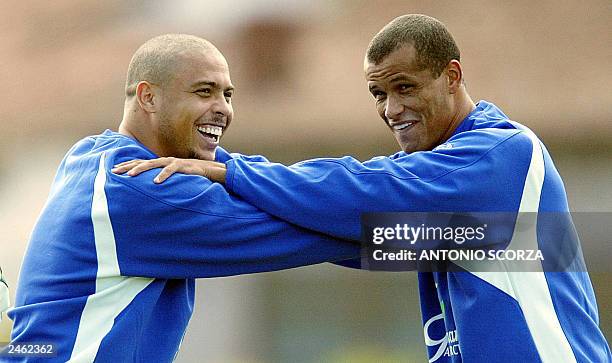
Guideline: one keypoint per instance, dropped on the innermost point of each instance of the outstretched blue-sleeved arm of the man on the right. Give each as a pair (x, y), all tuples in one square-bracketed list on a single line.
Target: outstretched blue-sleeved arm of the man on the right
[(483, 171)]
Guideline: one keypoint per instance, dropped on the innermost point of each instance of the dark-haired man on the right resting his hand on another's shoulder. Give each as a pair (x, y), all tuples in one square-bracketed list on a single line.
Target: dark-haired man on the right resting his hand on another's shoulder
[(456, 156)]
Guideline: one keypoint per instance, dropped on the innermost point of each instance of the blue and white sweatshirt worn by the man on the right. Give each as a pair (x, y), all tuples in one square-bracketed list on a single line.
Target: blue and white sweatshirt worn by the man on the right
[(490, 164)]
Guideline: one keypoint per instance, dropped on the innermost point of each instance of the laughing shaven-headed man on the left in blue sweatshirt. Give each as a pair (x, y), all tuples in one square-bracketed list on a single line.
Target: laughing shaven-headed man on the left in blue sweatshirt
[(109, 271)]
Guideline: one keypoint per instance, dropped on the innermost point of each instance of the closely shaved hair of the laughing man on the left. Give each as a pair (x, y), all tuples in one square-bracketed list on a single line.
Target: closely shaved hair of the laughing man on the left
[(155, 61)]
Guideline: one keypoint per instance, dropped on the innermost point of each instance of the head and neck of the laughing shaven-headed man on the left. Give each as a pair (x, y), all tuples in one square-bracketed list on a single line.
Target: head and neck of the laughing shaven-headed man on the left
[(178, 97)]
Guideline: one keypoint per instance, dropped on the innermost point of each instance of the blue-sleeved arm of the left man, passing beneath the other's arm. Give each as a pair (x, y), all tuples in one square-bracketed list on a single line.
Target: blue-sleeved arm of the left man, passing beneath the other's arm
[(190, 227)]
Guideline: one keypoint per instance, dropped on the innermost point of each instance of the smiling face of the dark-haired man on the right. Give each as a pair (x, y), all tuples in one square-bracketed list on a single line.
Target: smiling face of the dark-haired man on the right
[(412, 96)]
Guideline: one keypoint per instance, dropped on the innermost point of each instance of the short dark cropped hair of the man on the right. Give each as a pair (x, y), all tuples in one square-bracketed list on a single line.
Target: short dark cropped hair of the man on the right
[(434, 44)]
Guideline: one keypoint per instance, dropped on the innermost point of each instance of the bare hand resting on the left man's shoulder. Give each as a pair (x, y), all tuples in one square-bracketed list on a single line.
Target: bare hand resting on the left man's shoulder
[(212, 170)]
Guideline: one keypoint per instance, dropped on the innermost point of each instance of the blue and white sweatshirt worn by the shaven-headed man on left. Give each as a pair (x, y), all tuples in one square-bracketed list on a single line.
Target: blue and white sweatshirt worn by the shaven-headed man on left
[(109, 271)]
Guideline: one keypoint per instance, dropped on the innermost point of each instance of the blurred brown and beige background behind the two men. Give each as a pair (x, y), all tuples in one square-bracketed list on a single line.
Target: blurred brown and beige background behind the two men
[(298, 69)]
